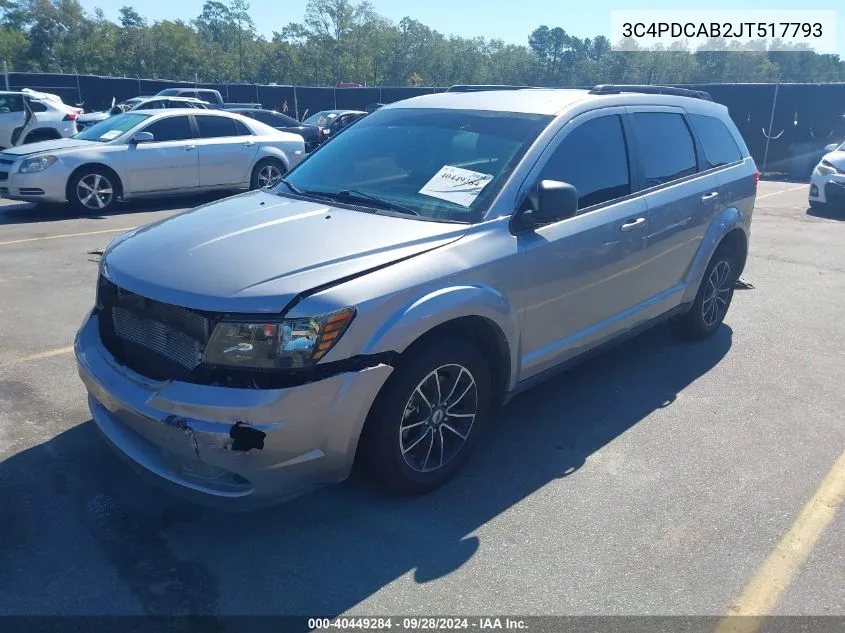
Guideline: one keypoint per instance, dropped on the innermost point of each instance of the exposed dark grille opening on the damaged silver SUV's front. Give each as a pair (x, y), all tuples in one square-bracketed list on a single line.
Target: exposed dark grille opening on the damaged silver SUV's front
[(155, 339)]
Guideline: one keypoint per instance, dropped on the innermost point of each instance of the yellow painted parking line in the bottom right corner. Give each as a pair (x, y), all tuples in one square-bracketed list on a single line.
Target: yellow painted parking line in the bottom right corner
[(788, 556)]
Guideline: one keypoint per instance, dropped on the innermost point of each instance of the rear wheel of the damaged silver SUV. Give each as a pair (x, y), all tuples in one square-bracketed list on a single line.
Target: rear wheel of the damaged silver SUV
[(708, 310)]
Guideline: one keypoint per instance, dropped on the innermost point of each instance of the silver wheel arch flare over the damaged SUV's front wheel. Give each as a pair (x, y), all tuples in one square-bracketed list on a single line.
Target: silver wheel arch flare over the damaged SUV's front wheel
[(425, 312)]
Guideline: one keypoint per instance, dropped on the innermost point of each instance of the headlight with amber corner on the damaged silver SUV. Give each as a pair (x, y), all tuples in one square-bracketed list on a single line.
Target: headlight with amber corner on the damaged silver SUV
[(288, 344)]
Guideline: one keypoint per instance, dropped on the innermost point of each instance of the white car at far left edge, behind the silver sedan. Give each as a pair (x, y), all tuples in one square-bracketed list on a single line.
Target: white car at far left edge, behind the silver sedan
[(29, 116)]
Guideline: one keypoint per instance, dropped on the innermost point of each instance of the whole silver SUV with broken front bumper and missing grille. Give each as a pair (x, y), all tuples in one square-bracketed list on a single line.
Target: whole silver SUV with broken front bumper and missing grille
[(439, 256)]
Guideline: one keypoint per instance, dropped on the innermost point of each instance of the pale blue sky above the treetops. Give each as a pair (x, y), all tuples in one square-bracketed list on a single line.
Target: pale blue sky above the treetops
[(510, 20)]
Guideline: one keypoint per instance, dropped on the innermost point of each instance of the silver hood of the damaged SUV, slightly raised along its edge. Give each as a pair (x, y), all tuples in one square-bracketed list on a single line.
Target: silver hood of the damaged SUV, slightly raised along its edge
[(255, 252)]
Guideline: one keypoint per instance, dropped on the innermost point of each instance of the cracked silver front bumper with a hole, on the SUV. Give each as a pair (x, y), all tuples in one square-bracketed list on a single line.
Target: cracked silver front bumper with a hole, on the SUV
[(238, 448)]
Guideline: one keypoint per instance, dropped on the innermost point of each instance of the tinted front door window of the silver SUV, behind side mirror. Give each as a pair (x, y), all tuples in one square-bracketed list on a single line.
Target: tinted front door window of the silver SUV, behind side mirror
[(593, 158)]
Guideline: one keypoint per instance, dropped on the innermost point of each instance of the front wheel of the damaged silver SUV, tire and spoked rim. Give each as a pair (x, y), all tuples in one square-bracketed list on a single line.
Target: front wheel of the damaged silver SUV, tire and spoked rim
[(403, 461)]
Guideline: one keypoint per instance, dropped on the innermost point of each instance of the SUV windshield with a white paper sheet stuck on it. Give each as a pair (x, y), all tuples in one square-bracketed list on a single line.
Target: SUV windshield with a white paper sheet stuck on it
[(440, 164)]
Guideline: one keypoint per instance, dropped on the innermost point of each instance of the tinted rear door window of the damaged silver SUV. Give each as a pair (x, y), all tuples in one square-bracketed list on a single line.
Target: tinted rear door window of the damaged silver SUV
[(665, 149)]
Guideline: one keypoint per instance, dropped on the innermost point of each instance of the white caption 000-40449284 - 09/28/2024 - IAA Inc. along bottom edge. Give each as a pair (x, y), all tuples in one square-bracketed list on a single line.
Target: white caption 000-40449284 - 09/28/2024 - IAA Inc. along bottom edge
[(417, 623)]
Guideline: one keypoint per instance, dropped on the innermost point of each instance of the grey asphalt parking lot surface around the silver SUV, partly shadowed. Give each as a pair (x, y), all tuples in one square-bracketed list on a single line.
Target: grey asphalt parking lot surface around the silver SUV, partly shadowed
[(655, 479)]
